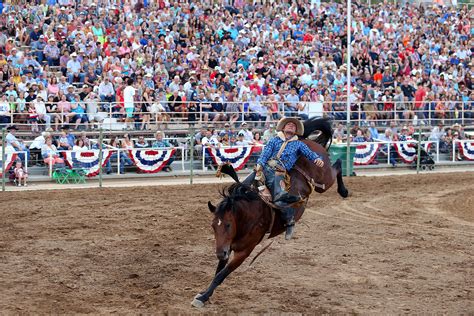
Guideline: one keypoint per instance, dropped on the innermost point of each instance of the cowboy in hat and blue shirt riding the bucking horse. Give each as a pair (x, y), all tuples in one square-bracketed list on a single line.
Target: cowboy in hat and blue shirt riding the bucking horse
[(278, 157)]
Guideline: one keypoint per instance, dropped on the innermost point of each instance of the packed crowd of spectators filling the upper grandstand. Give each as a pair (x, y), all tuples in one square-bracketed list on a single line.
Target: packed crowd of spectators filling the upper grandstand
[(58, 59)]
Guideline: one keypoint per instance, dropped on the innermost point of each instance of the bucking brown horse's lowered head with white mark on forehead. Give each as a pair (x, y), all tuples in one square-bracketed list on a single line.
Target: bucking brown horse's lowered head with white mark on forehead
[(225, 228)]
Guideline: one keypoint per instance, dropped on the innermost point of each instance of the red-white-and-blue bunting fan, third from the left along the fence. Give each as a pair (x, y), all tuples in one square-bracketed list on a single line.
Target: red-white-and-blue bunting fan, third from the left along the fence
[(151, 160)]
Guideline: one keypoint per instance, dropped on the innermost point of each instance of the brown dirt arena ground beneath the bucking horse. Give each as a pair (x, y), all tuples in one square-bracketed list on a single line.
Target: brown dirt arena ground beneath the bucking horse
[(397, 245)]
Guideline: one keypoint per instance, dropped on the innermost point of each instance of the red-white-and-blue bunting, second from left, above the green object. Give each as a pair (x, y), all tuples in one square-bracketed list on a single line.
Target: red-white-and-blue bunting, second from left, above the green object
[(88, 160)]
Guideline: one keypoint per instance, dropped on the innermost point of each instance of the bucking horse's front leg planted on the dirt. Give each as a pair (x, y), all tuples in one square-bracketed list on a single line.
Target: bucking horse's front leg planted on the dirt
[(236, 261)]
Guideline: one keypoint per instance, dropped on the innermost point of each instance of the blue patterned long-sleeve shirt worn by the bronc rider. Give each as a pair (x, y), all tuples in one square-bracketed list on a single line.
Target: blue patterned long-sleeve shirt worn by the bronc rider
[(289, 156)]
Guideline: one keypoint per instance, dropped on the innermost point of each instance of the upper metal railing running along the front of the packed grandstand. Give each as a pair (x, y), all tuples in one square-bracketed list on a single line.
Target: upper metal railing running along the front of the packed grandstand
[(113, 116)]
